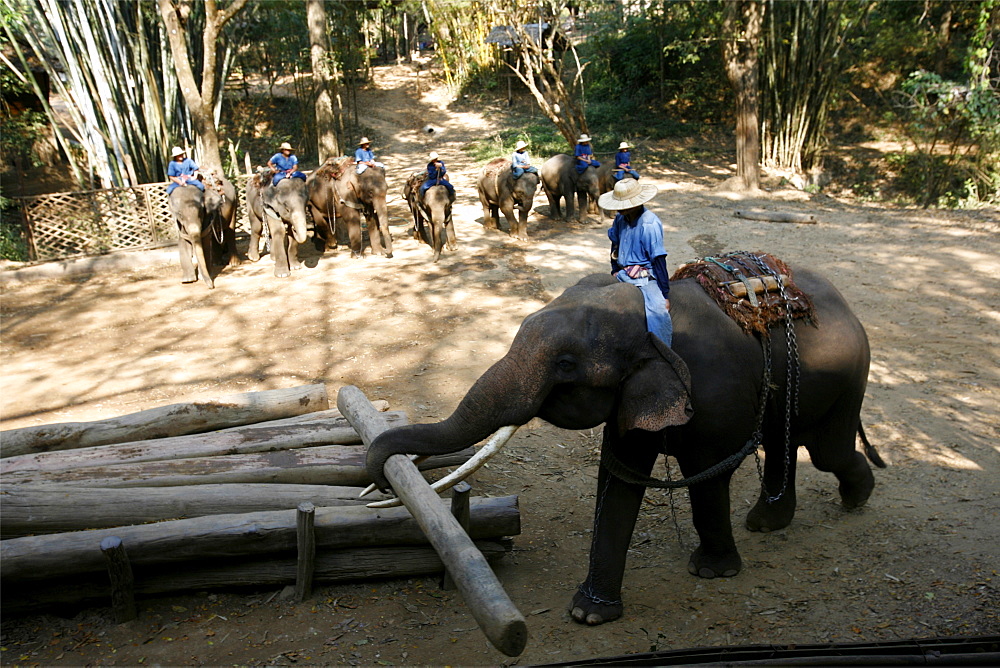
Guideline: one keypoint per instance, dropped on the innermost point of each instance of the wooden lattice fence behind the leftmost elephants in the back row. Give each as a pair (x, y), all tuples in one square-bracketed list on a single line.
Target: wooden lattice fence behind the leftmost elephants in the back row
[(95, 222)]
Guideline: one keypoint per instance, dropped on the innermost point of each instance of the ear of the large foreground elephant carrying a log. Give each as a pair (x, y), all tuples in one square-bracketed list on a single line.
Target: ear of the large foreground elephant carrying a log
[(657, 393)]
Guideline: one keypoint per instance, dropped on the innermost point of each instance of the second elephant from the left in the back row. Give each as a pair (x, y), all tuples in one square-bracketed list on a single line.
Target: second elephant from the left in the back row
[(283, 206)]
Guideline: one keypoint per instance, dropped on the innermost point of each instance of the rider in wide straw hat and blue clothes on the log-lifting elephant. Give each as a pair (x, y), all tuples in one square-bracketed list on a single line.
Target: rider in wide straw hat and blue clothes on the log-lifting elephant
[(637, 253)]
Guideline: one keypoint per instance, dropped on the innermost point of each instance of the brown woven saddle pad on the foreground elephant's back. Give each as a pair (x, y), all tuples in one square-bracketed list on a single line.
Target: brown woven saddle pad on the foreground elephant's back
[(723, 279)]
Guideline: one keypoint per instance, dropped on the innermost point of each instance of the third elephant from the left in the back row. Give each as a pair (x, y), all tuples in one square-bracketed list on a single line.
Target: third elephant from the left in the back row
[(339, 195)]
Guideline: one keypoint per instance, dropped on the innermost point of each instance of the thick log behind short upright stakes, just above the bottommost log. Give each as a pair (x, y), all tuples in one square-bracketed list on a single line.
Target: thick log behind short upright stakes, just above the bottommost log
[(238, 536)]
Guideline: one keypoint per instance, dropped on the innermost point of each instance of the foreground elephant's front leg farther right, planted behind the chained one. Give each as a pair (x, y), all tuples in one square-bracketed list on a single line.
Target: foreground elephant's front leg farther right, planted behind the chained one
[(716, 556)]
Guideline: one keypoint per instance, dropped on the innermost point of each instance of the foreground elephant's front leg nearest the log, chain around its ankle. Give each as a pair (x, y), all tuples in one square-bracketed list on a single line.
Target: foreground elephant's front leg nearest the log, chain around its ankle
[(598, 599)]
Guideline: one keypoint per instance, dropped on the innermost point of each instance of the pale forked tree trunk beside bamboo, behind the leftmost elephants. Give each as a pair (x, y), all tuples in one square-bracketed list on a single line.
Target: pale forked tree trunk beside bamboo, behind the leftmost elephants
[(201, 99)]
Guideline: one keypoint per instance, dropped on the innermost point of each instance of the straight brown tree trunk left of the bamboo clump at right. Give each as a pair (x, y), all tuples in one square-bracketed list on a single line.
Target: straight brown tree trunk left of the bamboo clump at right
[(742, 28)]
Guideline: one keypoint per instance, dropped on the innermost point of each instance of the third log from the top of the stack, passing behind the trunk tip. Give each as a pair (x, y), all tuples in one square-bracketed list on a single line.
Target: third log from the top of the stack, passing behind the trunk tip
[(319, 465)]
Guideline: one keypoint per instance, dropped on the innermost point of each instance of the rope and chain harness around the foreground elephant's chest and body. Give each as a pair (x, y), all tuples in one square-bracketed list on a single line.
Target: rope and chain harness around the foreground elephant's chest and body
[(750, 264)]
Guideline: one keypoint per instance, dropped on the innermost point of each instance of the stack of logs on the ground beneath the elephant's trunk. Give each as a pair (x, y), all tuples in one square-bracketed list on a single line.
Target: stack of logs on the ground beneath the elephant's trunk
[(239, 492)]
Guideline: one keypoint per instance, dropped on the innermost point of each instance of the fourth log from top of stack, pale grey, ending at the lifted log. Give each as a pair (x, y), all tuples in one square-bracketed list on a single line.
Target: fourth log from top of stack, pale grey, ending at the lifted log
[(44, 509)]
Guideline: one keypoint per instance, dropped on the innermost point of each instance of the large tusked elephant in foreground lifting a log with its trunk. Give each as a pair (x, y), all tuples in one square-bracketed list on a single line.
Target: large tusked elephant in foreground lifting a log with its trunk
[(586, 359)]
